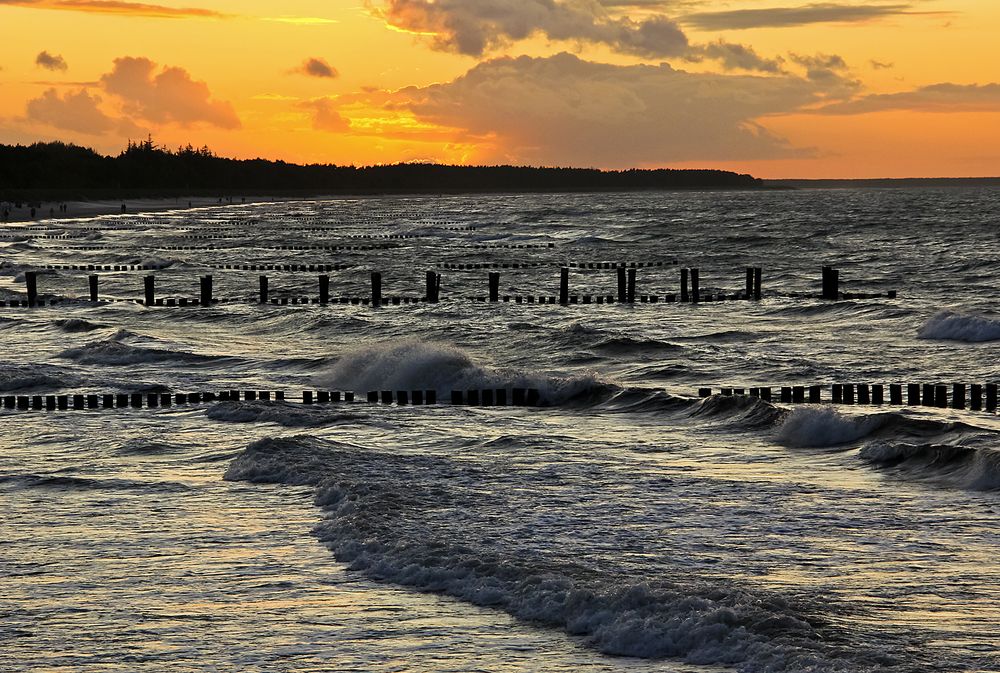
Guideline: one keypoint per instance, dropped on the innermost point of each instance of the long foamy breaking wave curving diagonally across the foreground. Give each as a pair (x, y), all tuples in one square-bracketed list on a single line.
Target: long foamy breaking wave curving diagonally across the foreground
[(399, 518)]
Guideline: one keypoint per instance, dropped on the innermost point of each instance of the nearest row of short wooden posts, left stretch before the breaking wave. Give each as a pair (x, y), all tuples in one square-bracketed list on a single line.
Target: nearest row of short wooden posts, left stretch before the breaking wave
[(489, 397)]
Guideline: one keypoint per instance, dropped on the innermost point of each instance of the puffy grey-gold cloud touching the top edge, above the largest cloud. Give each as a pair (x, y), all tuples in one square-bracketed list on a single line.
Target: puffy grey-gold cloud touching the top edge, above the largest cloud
[(474, 27)]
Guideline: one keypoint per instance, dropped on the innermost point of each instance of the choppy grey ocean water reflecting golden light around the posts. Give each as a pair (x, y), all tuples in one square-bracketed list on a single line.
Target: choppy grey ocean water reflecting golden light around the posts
[(625, 525)]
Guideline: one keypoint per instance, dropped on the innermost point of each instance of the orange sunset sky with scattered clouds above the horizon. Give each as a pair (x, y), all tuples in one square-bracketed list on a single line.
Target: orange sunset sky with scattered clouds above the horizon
[(776, 88)]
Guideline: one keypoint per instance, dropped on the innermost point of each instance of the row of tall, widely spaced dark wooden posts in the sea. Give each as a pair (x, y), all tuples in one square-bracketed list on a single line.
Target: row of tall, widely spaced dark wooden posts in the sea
[(690, 290)]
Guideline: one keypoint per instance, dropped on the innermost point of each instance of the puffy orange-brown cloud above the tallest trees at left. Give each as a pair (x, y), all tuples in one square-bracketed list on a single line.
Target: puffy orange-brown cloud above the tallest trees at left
[(167, 95)]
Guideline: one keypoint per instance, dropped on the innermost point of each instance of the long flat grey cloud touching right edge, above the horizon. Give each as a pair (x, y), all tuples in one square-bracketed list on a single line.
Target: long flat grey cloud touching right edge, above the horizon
[(943, 97)]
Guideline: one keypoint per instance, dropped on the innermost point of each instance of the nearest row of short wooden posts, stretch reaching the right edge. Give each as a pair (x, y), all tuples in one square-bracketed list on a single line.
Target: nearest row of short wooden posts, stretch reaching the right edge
[(976, 396)]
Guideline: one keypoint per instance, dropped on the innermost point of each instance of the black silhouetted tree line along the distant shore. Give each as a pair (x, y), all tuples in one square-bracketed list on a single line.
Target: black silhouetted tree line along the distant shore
[(147, 169)]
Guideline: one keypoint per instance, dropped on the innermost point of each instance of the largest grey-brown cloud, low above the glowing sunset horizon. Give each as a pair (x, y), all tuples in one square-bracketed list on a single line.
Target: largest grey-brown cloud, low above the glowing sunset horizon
[(564, 110)]
